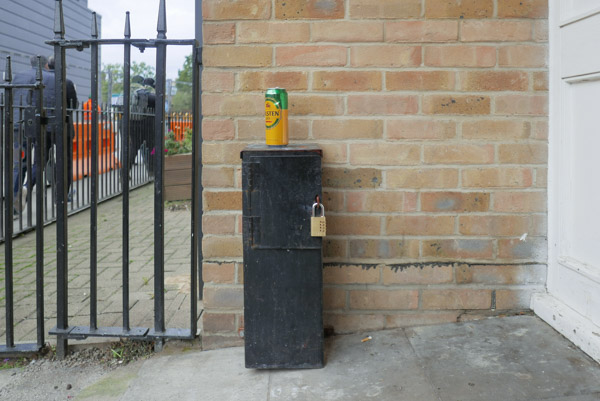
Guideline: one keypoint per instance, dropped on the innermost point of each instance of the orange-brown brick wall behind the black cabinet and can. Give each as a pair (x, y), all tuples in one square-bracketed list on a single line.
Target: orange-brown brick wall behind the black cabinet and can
[(433, 119)]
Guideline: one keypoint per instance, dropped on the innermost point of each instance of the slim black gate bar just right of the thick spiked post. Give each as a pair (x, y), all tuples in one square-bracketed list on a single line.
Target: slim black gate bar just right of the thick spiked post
[(94, 182)]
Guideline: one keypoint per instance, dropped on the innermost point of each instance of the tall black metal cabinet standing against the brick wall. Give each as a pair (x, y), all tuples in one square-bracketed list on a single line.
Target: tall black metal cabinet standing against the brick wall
[(283, 281)]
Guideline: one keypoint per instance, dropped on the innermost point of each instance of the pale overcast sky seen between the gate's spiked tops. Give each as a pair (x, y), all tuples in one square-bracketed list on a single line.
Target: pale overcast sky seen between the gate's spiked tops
[(143, 17)]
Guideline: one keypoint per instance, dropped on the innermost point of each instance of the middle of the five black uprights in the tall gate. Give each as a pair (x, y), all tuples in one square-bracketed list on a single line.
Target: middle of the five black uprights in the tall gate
[(125, 169)]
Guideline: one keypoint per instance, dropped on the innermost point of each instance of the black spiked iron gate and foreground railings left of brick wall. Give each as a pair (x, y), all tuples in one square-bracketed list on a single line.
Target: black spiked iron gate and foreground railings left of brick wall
[(63, 330)]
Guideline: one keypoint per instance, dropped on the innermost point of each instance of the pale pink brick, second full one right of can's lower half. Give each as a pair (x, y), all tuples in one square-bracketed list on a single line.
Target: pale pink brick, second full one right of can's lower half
[(420, 129)]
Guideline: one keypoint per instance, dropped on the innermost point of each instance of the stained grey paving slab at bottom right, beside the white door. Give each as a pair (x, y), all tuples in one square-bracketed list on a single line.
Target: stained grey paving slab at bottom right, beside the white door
[(513, 358)]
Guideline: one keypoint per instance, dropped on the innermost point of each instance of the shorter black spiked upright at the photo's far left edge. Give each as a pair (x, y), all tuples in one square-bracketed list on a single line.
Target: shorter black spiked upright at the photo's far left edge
[(8, 210)]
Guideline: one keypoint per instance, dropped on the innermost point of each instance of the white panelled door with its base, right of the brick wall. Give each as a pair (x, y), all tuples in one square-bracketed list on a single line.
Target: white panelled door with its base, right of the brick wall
[(572, 304)]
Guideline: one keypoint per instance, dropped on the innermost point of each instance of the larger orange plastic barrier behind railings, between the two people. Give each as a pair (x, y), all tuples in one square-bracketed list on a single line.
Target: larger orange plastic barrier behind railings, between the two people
[(82, 149)]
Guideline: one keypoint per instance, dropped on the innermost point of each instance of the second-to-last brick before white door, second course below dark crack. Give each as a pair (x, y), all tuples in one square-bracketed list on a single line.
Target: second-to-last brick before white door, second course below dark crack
[(457, 299)]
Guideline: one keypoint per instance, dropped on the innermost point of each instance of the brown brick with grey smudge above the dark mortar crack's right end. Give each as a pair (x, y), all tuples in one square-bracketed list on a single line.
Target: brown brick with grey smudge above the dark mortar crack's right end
[(458, 248)]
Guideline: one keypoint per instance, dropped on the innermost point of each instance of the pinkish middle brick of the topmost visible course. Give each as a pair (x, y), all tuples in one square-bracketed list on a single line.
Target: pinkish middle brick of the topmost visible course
[(360, 9)]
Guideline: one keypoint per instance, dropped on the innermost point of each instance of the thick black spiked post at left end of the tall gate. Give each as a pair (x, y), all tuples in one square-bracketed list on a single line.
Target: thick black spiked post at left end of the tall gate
[(62, 313)]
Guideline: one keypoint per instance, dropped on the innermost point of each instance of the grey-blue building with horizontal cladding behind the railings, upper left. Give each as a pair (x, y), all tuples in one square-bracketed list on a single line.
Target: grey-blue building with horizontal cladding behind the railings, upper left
[(25, 26)]
